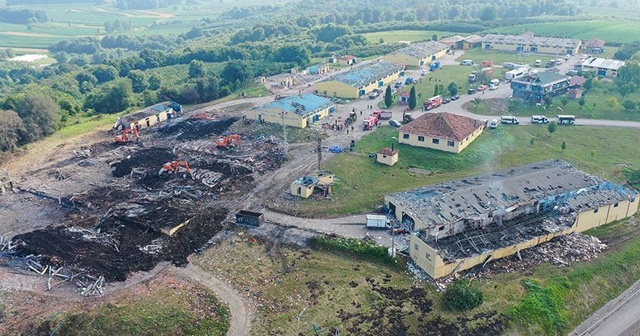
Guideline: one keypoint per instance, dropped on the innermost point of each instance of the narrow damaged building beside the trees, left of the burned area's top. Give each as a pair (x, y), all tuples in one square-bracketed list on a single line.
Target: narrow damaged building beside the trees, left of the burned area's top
[(149, 116)]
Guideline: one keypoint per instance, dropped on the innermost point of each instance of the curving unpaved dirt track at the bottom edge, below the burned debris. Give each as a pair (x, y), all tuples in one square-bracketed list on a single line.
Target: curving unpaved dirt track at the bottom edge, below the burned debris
[(241, 313)]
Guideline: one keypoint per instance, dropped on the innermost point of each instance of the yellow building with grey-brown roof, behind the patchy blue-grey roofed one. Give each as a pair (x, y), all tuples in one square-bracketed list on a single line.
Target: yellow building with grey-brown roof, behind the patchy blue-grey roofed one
[(418, 54)]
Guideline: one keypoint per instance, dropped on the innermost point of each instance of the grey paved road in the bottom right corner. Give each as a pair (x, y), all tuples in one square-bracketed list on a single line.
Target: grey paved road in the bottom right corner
[(619, 317)]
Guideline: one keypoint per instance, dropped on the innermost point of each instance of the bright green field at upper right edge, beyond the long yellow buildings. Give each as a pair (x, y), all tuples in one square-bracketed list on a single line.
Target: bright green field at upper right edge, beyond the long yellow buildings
[(610, 31)]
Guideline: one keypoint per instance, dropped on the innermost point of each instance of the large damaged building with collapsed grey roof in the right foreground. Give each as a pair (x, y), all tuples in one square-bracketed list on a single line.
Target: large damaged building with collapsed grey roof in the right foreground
[(468, 222)]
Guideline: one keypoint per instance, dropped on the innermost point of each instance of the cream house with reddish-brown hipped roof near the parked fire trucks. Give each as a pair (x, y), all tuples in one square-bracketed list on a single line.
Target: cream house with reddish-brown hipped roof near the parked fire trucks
[(443, 131)]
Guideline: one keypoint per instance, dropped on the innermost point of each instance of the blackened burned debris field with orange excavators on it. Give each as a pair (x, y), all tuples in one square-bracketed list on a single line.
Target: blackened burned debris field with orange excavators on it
[(166, 196)]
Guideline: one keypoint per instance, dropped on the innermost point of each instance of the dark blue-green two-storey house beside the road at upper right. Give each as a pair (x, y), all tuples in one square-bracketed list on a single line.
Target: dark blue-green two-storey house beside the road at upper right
[(538, 86)]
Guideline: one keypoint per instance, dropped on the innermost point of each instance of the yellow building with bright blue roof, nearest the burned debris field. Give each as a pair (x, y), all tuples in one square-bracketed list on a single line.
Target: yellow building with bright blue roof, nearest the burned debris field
[(296, 111)]
